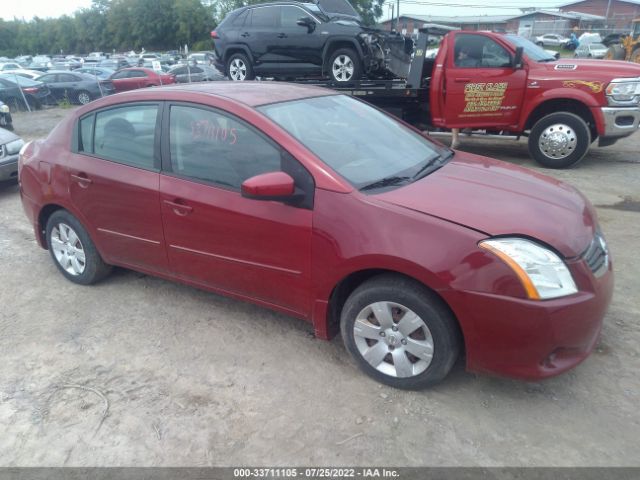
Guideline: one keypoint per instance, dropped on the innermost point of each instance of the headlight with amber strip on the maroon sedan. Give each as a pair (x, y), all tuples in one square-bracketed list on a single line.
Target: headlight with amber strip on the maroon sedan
[(543, 274)]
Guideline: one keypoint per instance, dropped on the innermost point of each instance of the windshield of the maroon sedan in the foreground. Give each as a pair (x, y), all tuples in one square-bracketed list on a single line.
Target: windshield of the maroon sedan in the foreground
[(368, 148)]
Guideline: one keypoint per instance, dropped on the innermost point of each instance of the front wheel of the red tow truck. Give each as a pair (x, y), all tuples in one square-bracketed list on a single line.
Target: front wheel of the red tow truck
[(559, 140)]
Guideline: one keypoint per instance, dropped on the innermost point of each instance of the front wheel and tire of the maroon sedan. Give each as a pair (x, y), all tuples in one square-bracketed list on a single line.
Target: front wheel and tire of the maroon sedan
[(400, 333)]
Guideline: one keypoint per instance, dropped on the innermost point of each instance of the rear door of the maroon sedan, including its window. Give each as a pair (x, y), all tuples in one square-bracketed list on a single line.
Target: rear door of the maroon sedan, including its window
[(114, 184)]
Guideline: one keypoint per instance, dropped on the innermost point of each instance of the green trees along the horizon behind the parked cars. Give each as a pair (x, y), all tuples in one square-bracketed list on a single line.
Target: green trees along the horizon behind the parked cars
[(124, 25)]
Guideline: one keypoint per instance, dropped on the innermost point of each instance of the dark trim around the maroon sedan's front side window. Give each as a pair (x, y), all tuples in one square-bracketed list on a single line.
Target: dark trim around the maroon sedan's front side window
[(165, 148)]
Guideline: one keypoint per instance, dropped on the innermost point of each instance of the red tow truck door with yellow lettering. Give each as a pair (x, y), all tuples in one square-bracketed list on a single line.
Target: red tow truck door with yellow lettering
[(482, 89)]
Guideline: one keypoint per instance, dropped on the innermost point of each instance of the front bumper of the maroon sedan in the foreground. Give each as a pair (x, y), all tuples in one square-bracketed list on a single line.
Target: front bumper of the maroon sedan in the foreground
[(530, 339)]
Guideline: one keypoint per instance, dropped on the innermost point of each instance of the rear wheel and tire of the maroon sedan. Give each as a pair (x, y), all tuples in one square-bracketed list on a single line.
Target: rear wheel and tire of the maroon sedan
[(73, 251)]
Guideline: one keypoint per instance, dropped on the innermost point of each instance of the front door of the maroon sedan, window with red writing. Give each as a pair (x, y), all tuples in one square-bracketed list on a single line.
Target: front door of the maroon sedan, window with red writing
[(215, 236)]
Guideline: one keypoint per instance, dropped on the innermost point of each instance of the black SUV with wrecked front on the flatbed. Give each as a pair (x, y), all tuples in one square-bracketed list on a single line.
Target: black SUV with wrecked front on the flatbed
[(293, 39)]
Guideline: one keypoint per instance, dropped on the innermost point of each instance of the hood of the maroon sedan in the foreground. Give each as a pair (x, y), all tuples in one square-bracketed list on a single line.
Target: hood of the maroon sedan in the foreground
[(497, 198)]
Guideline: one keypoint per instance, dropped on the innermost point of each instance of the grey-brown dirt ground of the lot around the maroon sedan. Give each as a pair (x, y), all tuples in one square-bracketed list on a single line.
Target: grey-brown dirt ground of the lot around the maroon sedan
[(141, 371)]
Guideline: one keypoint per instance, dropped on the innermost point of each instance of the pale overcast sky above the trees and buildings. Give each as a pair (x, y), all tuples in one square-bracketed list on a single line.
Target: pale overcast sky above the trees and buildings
[(54, 8)]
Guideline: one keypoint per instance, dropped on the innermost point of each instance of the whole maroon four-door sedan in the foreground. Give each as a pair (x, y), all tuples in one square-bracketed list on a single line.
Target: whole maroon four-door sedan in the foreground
[(319, 206)]
